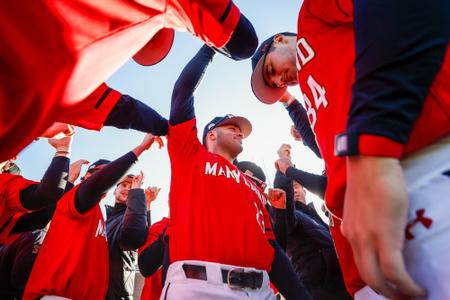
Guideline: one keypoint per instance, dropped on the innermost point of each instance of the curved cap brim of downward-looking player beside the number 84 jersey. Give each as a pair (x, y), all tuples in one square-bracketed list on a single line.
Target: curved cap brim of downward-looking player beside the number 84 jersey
[(264, 93)]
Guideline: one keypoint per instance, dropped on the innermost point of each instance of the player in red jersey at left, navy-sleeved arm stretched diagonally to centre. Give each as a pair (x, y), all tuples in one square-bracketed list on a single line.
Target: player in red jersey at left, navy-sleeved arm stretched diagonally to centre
[(73, 260)]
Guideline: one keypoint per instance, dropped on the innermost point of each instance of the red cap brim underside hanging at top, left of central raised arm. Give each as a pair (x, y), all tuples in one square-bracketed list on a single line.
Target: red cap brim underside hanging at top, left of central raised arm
[(156, 49)]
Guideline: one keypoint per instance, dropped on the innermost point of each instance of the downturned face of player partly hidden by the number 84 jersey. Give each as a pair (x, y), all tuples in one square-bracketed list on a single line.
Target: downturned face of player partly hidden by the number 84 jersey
[(279, 67)]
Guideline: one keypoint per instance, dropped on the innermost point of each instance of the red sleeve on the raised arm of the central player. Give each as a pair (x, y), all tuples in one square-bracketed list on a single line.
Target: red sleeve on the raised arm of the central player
[(182, 141)]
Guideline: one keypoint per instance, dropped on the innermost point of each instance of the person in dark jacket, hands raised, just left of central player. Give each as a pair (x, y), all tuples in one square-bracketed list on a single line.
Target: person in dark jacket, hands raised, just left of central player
[(126, 231)]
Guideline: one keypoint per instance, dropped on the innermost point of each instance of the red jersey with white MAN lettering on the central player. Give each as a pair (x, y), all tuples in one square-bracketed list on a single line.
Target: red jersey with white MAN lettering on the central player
[(216, 213)]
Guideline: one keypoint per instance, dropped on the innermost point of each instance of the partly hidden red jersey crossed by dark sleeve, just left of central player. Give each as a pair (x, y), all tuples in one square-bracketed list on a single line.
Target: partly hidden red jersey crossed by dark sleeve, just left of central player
[(153, 285)]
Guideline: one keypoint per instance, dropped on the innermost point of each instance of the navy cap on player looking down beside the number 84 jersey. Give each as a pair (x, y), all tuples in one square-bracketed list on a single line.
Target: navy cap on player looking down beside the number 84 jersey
[(265, 93)]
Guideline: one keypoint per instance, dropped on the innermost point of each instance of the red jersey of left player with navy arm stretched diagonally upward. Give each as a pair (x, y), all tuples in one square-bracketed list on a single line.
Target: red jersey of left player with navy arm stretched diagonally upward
[(73, 260)]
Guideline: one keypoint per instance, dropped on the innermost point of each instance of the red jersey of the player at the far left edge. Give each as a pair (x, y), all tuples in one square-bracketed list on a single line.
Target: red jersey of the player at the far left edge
[(10, 207)]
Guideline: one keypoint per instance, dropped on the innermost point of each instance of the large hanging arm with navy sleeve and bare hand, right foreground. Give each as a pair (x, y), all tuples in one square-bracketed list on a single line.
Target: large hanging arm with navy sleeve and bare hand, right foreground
[(390, 88)]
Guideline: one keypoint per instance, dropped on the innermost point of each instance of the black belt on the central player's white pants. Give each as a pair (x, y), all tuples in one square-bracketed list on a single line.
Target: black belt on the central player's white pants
[(236, 278)]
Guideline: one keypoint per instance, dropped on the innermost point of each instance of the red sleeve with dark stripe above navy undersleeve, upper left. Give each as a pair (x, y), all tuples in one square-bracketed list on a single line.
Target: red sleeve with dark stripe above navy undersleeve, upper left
[(91, 113)]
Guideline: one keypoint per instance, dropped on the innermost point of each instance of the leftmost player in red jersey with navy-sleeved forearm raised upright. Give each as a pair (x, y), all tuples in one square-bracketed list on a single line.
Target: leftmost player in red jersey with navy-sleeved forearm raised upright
[(19, 196)]
